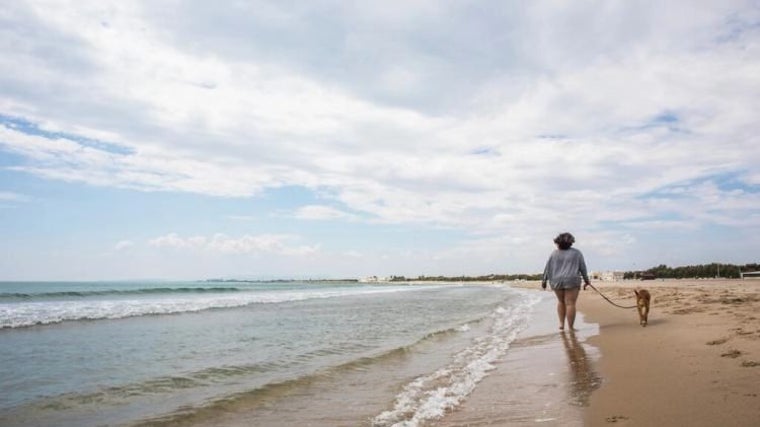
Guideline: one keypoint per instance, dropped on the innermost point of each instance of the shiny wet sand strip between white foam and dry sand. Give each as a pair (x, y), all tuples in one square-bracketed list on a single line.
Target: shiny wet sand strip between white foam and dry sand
[(545, 379)]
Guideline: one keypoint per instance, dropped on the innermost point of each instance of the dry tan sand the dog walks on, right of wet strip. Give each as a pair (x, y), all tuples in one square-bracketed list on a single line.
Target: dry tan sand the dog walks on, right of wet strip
[(696, 364)]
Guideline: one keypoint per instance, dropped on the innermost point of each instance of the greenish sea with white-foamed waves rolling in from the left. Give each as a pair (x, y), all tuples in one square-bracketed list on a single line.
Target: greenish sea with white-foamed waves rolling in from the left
[(244, 353)]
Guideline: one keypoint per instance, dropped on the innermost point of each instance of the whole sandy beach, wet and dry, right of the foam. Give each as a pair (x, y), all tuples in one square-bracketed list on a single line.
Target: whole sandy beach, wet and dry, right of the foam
[(697, 363)]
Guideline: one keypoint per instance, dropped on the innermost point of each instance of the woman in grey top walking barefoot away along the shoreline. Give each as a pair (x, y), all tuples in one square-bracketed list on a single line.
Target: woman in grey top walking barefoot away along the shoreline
[(564, 271)]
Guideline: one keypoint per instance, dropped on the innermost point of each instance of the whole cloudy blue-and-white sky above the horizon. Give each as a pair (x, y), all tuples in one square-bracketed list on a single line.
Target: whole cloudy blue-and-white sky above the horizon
[(189, 139)]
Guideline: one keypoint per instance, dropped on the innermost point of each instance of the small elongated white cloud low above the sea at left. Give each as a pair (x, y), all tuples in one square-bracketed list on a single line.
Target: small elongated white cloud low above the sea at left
[(246, 244)]
